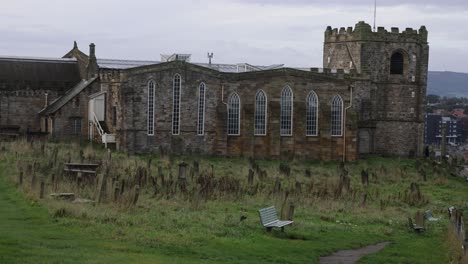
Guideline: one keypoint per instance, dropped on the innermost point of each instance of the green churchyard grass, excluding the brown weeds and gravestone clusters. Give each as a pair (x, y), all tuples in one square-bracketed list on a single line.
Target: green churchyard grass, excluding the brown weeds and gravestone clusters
[(180, 229)]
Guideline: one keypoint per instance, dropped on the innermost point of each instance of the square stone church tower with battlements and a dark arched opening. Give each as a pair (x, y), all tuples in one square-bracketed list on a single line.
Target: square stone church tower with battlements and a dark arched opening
[(389, 69)]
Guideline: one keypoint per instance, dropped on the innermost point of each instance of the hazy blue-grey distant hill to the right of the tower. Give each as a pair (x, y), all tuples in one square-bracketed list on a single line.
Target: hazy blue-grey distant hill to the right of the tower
[(450, 84)]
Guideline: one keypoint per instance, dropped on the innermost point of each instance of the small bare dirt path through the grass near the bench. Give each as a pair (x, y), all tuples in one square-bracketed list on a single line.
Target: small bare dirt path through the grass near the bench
[(351, 256)]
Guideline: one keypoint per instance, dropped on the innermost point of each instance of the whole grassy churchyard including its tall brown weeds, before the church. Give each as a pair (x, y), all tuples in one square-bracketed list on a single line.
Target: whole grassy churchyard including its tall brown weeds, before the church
[(202, 223)]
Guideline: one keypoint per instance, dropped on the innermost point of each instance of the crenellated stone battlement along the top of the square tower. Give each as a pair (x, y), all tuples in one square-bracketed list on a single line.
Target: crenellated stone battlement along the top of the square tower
[(363, 32)]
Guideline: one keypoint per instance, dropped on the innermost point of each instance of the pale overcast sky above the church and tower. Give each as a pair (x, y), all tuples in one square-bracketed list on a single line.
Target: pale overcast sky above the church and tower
[(259, 32)]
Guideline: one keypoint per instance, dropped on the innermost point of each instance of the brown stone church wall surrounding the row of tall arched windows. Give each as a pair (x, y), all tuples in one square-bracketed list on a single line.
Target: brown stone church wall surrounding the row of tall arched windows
[(218, 89)]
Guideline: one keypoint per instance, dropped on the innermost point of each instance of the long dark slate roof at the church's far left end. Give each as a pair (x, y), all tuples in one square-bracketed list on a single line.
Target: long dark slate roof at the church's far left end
[(38, 73)]
